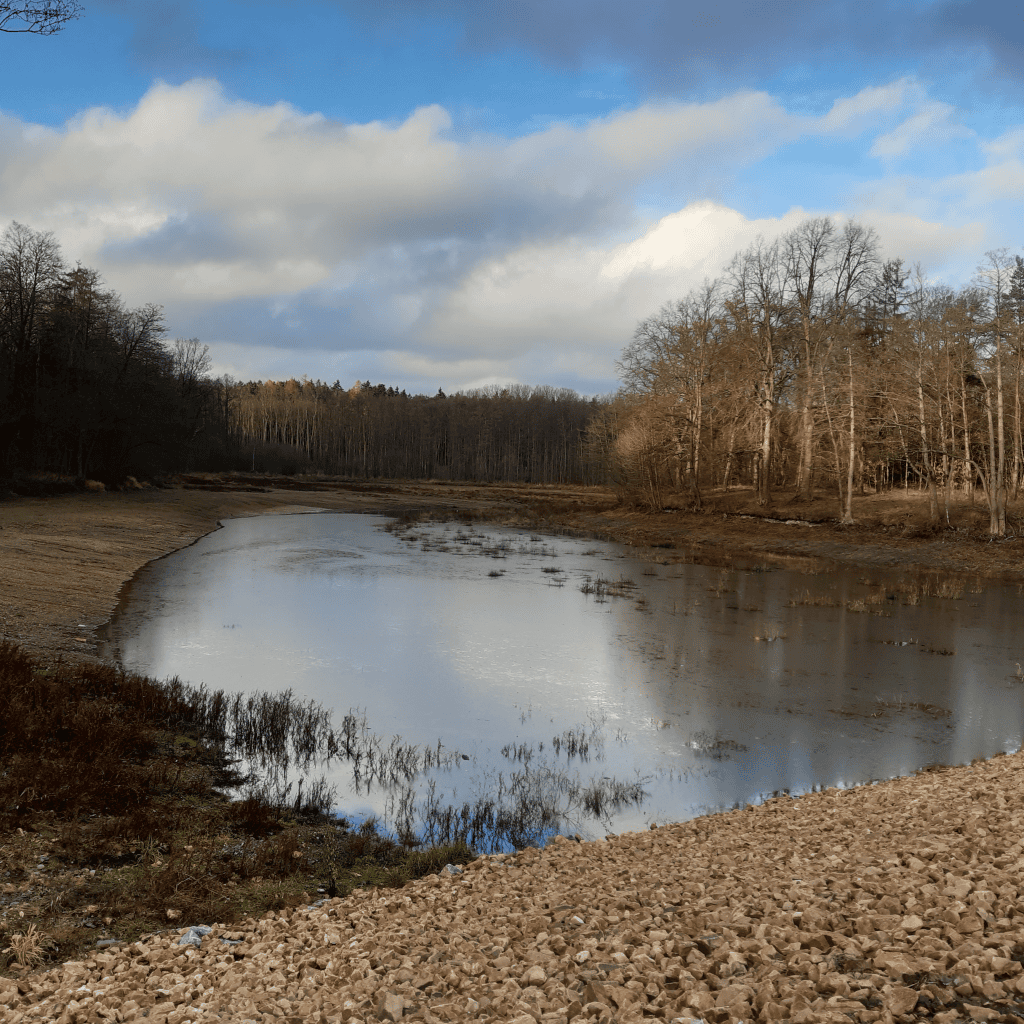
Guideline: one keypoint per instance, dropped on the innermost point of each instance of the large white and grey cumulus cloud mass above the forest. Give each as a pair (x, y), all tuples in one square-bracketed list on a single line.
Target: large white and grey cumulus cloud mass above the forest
[(405, 246)]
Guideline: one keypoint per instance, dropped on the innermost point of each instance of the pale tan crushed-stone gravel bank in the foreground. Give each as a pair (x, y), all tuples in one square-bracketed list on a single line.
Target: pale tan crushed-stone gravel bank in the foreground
[(902, 901)]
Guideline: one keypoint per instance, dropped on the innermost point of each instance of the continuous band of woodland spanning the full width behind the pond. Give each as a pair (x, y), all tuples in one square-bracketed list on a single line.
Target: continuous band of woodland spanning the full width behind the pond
[(810, 365)]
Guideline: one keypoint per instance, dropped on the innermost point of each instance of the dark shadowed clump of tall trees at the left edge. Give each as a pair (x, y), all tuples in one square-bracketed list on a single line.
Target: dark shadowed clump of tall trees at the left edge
[(89, 386)]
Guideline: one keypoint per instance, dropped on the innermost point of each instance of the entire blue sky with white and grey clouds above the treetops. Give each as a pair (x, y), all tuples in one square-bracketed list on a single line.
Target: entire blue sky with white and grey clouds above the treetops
[(459, 193)]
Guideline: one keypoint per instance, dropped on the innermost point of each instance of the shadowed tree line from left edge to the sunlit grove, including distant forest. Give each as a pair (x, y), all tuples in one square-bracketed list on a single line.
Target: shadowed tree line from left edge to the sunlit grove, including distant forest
[(91, 388)]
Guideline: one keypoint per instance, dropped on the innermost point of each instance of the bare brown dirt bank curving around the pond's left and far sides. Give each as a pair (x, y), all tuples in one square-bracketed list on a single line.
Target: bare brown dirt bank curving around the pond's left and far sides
[(64, 560)]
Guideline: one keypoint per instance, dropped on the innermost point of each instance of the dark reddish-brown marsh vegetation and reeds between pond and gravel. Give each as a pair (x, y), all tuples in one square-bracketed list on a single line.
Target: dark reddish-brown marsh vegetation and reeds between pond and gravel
[(115, 818)]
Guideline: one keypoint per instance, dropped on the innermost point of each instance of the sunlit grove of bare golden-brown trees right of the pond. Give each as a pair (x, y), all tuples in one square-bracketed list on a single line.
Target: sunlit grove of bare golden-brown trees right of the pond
[(813, 363)]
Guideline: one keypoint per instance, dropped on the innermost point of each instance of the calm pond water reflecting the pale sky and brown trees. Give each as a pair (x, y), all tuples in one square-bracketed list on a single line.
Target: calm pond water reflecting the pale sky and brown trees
[(708, 688)]
